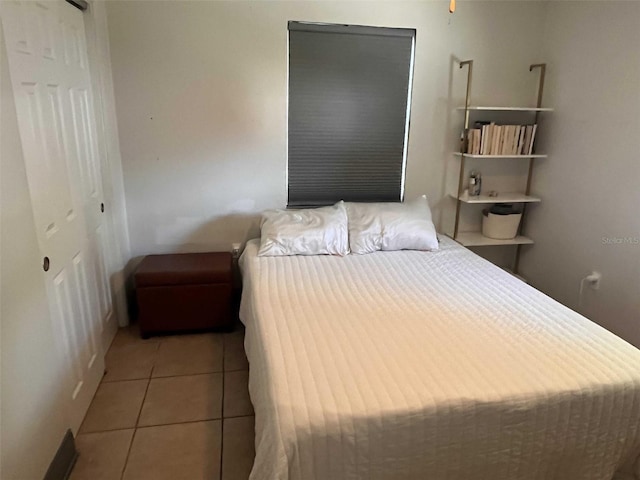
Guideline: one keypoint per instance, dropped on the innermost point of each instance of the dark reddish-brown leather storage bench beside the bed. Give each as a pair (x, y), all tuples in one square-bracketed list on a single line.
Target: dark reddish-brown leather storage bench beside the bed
[(190, 291)]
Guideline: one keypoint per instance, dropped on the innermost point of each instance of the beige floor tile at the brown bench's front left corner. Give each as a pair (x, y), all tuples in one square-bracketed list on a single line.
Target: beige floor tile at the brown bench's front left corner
[(130, 362)]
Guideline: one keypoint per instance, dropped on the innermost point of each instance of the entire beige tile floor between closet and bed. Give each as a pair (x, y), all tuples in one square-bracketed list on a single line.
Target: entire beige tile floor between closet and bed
[(174, 408)]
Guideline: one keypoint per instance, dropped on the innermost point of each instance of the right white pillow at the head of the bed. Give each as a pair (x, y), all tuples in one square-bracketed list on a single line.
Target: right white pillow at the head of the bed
[(391, 226)]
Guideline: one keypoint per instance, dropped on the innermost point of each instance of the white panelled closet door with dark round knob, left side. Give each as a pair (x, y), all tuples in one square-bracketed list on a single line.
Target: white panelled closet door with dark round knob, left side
[(48, 65)]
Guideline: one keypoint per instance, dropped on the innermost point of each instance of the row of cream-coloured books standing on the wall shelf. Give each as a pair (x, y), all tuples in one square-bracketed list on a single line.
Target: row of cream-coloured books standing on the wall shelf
[(491, 139)]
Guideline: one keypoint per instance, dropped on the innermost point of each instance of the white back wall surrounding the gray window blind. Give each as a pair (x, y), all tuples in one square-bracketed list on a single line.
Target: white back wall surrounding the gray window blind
[(201, 93)]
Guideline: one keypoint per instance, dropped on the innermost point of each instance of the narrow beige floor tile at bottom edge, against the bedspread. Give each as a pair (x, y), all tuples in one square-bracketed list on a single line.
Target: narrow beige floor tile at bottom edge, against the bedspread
[(239, 451)]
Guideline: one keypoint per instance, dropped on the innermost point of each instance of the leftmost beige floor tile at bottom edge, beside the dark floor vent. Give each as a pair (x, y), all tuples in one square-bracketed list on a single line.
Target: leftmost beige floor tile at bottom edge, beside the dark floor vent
[(102, 455)]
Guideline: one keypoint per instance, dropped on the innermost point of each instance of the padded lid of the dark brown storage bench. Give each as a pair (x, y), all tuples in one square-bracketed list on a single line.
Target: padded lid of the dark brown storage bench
[(184, 269)]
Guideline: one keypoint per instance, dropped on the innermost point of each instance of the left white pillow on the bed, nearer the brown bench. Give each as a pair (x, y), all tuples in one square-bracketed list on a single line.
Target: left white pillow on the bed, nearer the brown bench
[(312, 231)]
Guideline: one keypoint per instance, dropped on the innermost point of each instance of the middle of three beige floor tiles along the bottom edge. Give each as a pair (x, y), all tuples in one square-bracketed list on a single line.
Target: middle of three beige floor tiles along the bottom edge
[(184, 451)]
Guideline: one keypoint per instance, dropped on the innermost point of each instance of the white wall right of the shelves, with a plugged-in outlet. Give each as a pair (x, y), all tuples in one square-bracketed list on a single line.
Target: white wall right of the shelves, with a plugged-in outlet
[(590, 184)]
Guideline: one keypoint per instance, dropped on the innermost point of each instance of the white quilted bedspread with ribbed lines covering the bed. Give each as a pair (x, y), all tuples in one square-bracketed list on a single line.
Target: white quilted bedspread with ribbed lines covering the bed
[(430, 365)]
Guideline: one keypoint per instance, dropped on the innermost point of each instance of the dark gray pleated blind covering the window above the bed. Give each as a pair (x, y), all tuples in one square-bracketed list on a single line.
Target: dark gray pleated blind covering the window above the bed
[(349, 89)]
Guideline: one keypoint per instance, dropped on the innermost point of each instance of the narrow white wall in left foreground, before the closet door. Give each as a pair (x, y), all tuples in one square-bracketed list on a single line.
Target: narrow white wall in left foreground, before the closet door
[(31, 408)]
